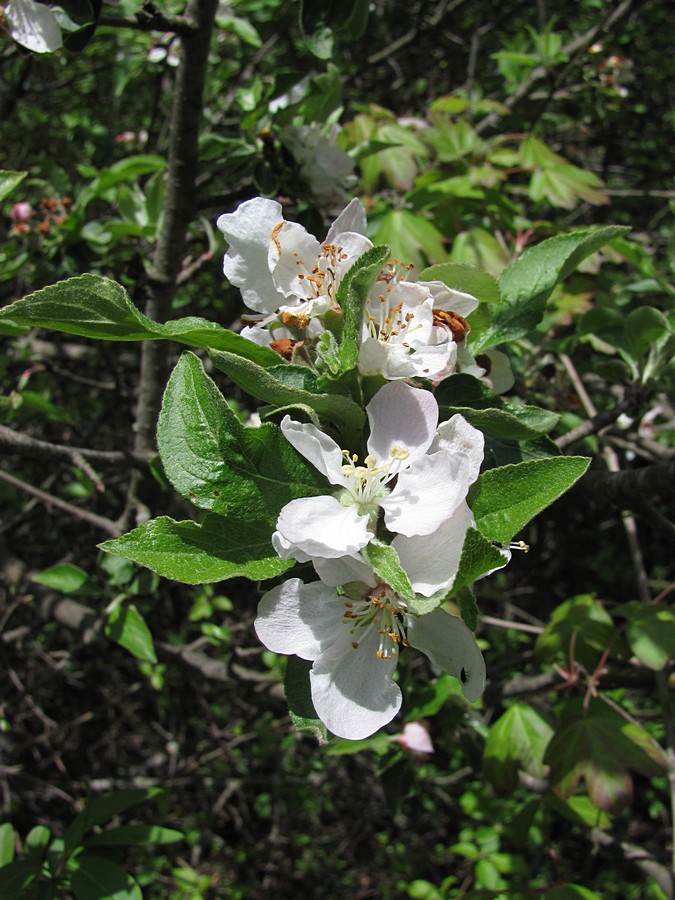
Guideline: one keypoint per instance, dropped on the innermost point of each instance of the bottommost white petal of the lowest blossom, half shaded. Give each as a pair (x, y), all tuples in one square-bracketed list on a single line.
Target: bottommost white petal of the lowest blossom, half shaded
[(352, 689)]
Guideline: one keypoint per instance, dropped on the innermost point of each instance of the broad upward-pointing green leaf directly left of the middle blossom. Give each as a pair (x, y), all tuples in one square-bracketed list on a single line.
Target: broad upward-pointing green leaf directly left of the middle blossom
[(219, 464)]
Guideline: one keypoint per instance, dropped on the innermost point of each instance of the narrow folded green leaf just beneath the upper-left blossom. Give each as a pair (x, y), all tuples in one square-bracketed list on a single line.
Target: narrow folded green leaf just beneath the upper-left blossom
[(261, 383)]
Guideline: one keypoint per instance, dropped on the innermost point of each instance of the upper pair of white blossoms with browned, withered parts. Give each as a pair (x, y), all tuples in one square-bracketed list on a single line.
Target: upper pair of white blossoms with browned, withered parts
[(290, 282)]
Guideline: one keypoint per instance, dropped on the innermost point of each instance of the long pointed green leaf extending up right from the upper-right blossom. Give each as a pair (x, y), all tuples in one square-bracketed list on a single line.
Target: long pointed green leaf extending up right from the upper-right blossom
[(527, 283)]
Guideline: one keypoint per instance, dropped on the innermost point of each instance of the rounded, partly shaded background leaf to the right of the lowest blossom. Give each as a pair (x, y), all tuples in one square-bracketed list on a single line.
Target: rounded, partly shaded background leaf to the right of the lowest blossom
[(580, 623)]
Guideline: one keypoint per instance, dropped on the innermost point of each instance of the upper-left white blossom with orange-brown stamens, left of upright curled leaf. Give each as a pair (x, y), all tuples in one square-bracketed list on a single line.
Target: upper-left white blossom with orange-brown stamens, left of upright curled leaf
[(286, 275)]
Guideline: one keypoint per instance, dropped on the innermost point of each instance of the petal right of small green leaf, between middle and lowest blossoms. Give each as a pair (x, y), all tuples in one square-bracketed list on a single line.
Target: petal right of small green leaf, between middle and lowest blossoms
[(431, 561)]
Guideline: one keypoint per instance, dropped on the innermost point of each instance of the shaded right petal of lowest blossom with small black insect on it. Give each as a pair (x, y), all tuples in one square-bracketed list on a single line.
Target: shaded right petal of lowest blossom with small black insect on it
[(450, 646)]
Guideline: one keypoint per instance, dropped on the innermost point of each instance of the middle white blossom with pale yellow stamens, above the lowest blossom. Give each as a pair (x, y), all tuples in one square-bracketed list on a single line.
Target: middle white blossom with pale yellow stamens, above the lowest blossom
[(416, 473)]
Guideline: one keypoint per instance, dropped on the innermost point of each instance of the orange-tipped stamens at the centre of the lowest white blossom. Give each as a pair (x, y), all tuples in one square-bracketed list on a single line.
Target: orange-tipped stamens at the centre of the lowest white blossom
[(384, 611)]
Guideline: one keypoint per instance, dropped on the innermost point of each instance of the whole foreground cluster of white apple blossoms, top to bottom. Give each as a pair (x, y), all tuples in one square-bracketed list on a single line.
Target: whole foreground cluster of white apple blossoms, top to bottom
[(403, 494)]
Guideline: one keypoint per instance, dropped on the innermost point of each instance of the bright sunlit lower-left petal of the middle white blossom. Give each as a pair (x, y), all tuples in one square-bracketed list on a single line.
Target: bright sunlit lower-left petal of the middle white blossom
[(322, 526)]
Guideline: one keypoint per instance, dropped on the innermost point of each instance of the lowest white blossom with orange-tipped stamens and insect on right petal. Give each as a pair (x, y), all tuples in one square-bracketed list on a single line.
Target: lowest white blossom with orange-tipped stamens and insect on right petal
[(354, 645)]
